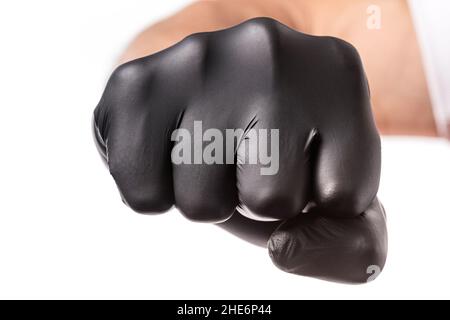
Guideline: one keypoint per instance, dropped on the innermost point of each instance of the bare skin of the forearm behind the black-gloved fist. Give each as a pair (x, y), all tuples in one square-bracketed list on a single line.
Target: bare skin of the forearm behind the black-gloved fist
[(391, 55)]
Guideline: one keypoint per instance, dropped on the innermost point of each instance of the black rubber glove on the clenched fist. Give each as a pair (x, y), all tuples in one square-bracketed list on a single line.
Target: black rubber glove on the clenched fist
[(257, 75)]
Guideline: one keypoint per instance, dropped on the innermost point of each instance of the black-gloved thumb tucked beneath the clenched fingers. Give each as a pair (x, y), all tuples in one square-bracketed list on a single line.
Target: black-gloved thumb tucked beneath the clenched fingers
[(349, 250)]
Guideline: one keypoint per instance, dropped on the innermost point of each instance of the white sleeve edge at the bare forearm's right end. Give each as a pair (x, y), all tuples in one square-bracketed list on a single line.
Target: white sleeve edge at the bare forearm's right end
[(432, 23)]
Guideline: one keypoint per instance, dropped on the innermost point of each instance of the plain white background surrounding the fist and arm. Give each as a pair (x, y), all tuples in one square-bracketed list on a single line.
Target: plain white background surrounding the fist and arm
[(64, 232)]
